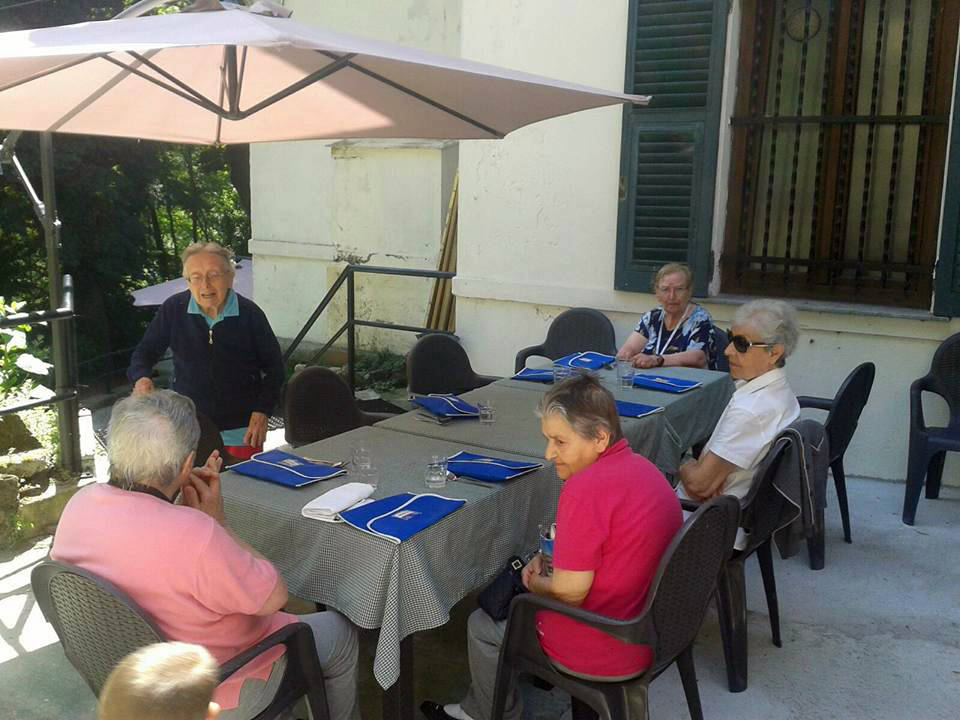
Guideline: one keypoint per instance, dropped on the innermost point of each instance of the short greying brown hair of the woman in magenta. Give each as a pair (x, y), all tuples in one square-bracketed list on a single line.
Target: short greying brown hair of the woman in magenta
[(584, 403)]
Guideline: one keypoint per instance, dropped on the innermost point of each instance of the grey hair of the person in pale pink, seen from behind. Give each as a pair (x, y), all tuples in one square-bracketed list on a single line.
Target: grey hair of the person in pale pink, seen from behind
[(150, 437)]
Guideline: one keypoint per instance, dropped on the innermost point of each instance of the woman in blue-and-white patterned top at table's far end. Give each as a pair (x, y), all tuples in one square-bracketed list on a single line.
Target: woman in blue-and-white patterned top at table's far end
[(678, 332)]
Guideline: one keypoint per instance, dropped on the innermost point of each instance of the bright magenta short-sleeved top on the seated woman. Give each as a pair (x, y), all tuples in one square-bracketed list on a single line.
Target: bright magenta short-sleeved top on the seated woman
[(616, 518)]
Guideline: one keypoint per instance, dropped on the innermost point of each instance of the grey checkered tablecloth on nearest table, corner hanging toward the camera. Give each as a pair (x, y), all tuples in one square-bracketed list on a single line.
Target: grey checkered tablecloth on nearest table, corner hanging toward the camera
[(403, 588)]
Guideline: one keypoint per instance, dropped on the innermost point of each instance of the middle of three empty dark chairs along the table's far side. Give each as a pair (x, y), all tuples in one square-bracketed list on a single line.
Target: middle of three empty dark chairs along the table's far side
[(439, 364)]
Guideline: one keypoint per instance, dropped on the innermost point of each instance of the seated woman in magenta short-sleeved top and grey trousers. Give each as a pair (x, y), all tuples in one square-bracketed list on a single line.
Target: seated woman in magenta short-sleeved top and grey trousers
[(615, 517)]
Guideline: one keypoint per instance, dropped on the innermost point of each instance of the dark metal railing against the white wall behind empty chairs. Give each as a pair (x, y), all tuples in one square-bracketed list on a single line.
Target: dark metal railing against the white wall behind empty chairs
[(349, 327)]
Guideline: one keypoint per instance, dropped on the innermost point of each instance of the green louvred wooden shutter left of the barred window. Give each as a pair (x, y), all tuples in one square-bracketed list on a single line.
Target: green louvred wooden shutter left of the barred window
[(669, 149)]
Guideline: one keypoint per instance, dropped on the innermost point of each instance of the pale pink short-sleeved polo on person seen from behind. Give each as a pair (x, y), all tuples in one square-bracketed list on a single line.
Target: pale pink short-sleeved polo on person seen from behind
[(183, 569)]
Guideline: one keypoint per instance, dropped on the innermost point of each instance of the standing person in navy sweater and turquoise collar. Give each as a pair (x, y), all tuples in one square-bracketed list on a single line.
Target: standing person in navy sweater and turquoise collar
[(225, 355)]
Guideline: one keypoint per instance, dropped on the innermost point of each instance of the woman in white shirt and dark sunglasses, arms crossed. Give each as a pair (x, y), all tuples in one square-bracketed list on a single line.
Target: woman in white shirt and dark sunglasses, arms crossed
[(764, 334)]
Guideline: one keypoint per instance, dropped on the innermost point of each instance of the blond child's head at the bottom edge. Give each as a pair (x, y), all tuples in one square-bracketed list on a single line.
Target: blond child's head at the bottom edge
[(174, 681)]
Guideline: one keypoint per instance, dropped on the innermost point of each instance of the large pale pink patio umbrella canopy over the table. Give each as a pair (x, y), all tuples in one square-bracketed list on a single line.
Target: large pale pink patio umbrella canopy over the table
[(234, 76)]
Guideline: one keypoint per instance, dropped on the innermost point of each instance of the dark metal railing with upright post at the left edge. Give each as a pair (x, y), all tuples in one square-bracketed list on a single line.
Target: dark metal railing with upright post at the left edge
[(66, 392)]
